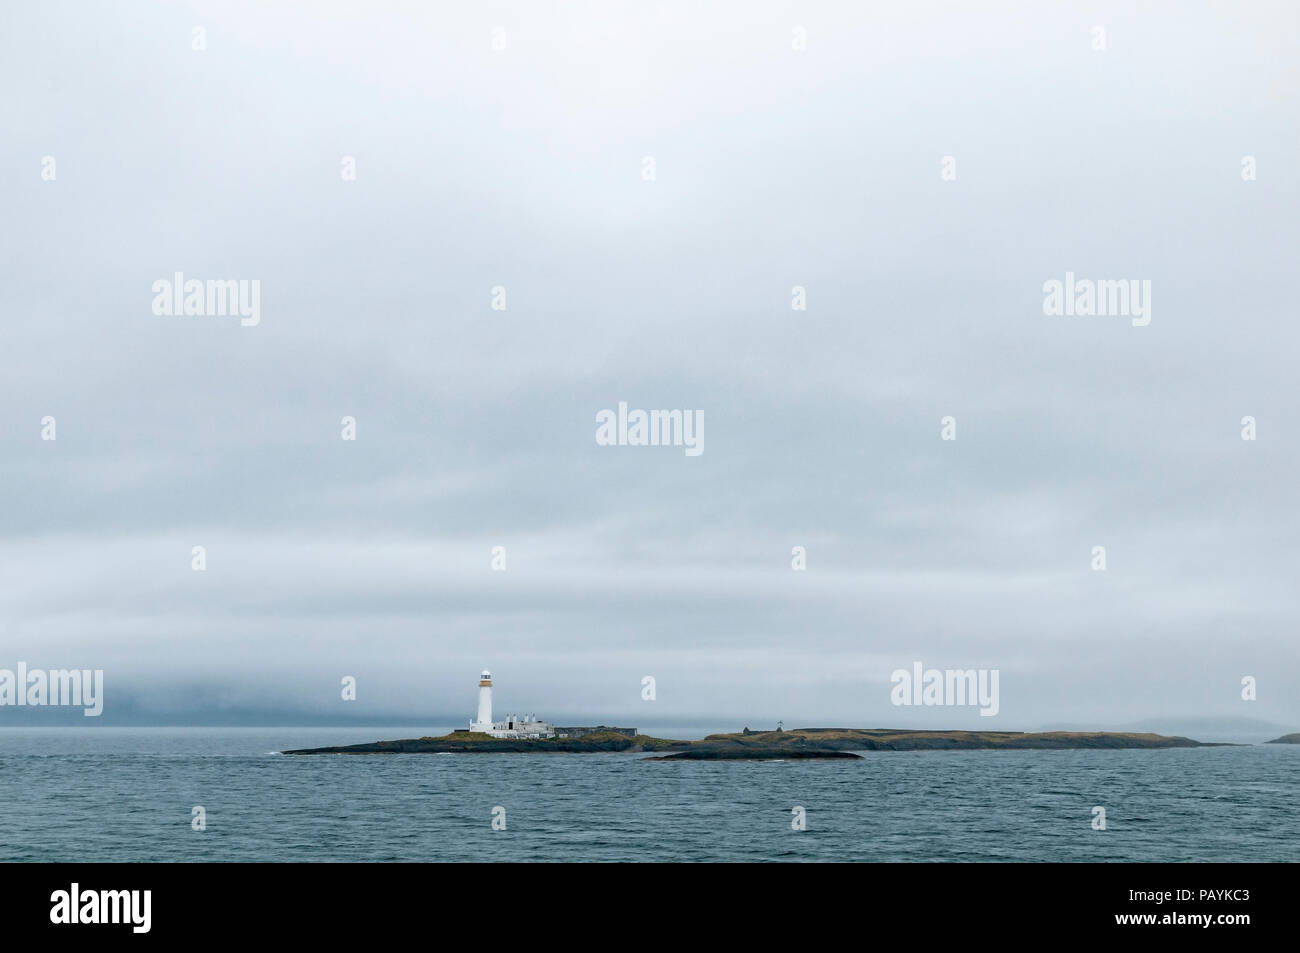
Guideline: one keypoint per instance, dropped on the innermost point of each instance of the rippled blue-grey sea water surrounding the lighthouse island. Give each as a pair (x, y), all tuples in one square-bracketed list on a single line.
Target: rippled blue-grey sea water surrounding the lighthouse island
[(127, 795)]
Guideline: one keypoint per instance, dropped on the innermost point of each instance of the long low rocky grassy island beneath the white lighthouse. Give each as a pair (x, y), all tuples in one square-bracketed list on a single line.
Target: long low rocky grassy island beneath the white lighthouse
[(798, 744)]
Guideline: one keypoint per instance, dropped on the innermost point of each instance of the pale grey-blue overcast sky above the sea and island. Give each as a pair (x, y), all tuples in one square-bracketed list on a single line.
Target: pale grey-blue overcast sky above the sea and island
[(774, 168)]
